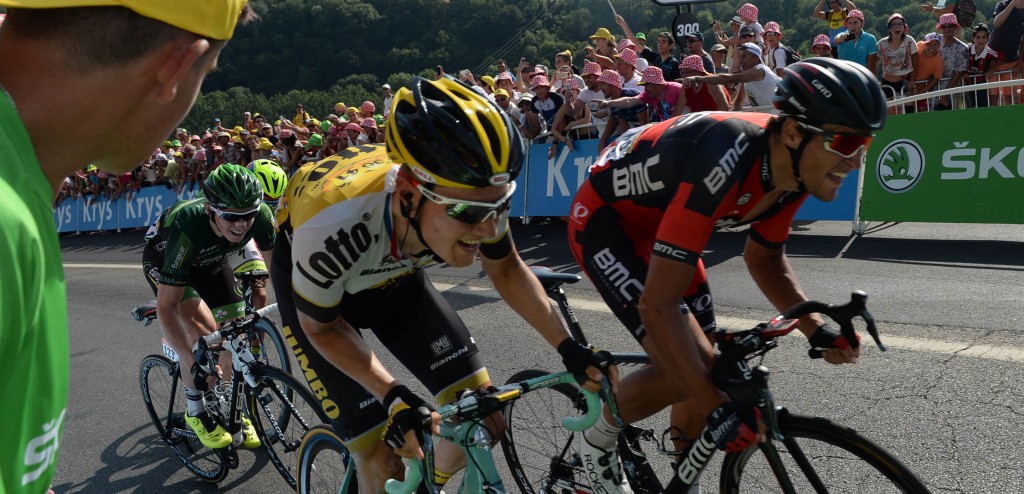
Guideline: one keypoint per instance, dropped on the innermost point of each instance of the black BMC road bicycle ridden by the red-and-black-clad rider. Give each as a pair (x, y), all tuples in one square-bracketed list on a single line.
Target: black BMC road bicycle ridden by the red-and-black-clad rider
[(802, 455)]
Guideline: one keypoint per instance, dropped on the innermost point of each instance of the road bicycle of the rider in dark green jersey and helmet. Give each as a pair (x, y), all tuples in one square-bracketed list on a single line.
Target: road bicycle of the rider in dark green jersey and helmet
[(281, 409)]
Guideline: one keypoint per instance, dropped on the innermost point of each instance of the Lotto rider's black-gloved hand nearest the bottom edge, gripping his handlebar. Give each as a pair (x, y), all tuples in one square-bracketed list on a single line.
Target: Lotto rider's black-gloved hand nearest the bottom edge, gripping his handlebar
[(406, 420)]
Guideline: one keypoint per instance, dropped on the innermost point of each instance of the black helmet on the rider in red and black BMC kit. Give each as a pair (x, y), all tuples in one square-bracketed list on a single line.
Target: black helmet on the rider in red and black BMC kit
[(821, 92)]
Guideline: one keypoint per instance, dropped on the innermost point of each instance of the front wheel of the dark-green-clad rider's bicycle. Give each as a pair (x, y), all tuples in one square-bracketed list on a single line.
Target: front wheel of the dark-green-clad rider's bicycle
[(283, 410)]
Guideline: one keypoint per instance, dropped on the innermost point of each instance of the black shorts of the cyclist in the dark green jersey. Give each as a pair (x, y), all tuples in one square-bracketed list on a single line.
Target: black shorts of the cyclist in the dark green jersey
[(217, 285)]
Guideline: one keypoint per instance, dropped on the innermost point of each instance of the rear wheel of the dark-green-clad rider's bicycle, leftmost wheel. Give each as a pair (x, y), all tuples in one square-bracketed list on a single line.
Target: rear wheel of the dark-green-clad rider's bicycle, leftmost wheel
[(161, 387)]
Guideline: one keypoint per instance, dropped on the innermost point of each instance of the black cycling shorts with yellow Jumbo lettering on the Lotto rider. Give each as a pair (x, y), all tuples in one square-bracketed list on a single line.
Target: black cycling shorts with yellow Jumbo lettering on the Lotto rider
[(411, 319)]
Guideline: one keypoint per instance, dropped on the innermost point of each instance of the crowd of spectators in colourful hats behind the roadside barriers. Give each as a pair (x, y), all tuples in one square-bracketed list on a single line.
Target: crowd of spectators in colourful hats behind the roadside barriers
[(624, 83)]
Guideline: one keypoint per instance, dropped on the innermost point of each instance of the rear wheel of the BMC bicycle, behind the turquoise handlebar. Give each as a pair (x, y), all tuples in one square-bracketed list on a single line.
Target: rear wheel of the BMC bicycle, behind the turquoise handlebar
[(541, 454)]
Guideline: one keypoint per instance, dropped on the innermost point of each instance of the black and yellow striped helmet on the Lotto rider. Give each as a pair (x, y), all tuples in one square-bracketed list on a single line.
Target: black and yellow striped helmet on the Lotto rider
[(451, 136)]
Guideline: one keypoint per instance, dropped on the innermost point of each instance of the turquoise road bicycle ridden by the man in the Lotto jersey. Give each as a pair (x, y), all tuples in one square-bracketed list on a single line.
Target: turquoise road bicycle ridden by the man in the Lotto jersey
[(326, 468)]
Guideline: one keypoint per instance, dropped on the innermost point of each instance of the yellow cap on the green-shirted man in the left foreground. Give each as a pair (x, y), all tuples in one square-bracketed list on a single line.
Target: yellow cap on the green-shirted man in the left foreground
[(211, 19)]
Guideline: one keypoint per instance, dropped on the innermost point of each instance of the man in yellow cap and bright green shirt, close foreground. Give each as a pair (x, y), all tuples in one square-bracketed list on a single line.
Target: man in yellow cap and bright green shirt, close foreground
[(136, 77)]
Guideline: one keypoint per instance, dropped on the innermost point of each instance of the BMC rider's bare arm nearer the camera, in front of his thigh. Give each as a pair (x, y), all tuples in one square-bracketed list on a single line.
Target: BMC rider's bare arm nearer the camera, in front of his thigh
[(677, 345)]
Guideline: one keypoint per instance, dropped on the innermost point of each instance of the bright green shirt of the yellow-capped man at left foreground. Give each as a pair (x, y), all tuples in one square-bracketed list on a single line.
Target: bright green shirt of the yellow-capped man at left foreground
[(34, 349)]
